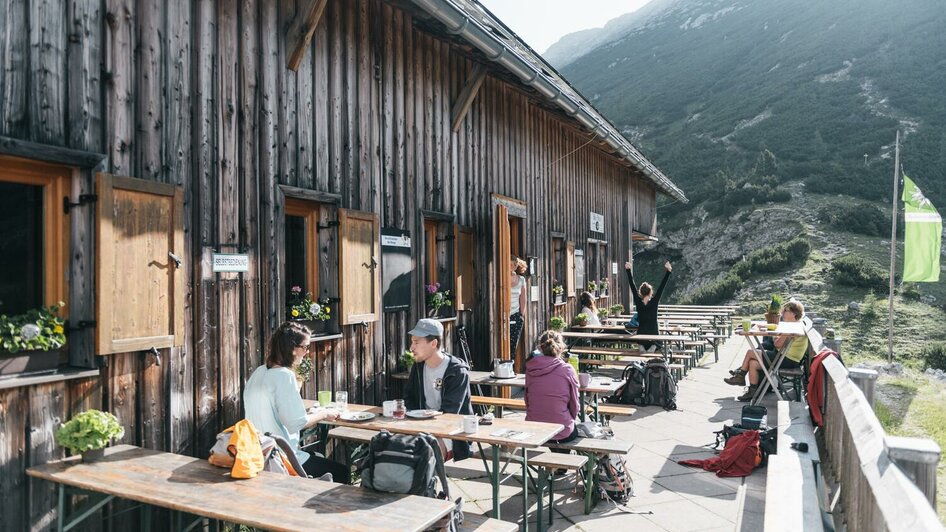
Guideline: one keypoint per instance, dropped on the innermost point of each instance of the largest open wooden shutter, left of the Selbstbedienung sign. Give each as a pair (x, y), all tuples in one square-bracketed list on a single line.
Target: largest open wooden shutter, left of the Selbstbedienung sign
[(139, 286)]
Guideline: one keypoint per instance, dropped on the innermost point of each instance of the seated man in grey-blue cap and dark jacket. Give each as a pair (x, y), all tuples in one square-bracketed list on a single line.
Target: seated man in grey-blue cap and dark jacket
[(438, 380)]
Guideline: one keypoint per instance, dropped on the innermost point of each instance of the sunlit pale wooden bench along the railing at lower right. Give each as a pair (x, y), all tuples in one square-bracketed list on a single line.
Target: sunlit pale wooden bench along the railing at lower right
[(793, 488)]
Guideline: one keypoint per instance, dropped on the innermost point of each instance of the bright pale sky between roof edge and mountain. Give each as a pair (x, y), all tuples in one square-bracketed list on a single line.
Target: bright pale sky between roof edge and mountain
[(541, 22)]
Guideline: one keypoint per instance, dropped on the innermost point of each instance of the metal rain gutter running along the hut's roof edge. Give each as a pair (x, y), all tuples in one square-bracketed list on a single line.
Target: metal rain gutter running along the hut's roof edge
[(458, 22)]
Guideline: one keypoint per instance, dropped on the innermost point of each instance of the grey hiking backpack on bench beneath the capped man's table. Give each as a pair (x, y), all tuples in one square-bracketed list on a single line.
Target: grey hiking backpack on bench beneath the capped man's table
[(401, 463)]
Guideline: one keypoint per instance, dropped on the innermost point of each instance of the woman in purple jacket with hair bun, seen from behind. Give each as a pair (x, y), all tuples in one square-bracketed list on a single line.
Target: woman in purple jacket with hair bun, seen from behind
[(552, 387)]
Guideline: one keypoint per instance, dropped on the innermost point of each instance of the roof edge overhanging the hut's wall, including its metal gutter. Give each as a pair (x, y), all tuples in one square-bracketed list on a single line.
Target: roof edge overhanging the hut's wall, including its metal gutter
[(473, 23)]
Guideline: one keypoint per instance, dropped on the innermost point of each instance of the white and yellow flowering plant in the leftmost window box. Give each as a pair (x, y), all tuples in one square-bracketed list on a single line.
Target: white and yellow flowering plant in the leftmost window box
[(38, 329)]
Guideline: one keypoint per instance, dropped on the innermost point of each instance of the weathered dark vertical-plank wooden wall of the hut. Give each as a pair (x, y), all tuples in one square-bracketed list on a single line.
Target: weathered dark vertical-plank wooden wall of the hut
[(196, 93)]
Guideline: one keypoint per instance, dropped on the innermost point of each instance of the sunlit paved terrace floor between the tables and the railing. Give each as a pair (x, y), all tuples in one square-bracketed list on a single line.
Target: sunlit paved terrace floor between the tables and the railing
[(669, 497)]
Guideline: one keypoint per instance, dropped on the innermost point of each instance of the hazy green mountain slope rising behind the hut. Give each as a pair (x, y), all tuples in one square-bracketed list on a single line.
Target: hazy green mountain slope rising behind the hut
[(770, 105)]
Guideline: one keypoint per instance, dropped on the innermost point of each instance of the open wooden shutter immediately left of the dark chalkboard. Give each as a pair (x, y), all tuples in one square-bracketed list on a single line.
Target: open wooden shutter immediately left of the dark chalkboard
[(358, 257)]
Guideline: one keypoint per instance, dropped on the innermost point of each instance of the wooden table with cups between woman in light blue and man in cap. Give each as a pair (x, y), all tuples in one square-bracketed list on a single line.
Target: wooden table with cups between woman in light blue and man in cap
[(531, 434)]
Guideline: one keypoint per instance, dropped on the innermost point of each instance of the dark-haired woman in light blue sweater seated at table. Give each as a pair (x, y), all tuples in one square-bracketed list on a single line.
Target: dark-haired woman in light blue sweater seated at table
[(273, 403)]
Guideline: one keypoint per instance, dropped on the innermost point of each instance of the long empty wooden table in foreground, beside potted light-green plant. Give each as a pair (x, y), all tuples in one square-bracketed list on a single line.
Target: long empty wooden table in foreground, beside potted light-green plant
[(271, 501)]
